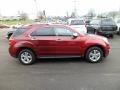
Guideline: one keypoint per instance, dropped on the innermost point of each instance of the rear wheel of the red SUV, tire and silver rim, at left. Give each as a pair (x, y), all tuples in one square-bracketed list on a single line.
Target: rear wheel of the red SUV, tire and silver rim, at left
[(26, 57)]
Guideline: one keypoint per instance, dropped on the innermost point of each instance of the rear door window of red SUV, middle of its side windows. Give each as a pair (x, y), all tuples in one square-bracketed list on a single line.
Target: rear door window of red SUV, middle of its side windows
[(45, 31)]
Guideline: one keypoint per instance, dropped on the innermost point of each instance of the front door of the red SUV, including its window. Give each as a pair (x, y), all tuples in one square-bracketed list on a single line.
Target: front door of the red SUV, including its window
[(65, 43)]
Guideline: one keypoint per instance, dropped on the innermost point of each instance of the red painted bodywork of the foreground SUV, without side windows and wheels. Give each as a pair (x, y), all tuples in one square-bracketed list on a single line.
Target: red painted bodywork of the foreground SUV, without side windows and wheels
[(55, 45)]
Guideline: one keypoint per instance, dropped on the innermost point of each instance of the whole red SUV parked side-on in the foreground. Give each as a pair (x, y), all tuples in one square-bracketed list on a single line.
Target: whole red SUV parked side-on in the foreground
[(52, 40)]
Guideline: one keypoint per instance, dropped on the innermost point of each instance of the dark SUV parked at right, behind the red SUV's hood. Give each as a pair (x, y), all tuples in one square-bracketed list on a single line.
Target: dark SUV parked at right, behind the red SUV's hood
[(103, 26)]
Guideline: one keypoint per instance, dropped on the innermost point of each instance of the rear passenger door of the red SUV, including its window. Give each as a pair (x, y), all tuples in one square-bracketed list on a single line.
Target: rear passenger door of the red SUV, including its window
[(45, 41)]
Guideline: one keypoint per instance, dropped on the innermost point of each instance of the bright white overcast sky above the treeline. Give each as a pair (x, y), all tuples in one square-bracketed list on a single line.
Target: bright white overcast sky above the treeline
[(57, 7)]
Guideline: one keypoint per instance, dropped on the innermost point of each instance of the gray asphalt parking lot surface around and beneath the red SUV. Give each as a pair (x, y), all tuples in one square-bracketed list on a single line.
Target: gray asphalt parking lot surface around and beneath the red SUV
[(60, 74)]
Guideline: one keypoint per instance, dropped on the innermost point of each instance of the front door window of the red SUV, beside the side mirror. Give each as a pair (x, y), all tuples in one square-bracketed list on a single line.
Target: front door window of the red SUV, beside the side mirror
[(61, 31)]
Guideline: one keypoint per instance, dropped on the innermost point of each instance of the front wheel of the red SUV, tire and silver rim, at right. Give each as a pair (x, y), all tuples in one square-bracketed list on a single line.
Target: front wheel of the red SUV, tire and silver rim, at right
[(94, 54)]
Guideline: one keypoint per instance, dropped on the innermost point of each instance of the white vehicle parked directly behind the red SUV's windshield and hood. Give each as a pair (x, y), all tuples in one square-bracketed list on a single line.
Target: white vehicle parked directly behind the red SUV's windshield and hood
[(78, 24)]
